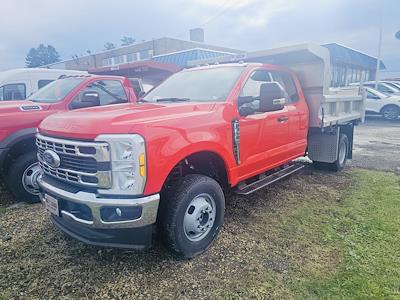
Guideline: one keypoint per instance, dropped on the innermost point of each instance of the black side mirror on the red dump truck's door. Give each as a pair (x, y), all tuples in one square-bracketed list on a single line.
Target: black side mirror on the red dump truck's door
[(272, 97)]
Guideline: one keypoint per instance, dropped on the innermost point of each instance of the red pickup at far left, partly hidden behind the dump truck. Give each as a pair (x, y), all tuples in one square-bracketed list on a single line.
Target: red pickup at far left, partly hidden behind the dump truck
[(19, 120)]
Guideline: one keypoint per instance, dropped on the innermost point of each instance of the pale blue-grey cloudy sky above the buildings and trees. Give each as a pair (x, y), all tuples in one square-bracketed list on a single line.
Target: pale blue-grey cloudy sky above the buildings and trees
[(74, 26)]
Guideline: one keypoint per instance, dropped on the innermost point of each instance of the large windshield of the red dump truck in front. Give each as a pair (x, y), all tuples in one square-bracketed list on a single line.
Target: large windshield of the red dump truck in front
[(204, 85)]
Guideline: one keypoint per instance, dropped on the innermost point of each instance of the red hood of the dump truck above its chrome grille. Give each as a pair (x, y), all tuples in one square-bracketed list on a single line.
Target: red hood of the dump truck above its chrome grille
[(122, 118)]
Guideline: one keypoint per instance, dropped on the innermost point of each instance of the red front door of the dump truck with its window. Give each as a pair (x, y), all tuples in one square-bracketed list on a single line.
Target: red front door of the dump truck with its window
[(263, 135)]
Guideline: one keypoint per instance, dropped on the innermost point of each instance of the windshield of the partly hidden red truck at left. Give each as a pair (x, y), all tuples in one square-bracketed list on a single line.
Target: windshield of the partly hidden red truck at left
[(55, 91)]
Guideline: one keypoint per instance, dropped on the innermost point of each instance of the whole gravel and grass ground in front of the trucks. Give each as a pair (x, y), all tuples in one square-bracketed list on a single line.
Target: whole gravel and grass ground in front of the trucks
[(314, 236)]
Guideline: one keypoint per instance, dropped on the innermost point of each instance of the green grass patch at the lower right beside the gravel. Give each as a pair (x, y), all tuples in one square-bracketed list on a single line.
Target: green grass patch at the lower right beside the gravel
[(365, 229)]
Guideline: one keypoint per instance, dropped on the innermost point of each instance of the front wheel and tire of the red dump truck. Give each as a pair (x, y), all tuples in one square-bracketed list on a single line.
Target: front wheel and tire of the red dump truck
[(191, 215)]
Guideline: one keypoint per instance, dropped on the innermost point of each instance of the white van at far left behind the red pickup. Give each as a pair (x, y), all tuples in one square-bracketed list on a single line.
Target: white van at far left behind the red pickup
[(18, 84)]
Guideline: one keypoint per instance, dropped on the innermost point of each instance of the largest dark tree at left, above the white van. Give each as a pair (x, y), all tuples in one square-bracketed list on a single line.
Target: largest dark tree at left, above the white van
[(42, 55)]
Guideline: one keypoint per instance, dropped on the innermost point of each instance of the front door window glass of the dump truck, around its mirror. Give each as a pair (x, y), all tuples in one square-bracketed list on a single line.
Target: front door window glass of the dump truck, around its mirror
[(249, 98)]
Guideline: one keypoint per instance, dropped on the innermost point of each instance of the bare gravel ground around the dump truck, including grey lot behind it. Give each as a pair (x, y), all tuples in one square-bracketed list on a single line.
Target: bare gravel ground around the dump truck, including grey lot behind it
[(38, 261)]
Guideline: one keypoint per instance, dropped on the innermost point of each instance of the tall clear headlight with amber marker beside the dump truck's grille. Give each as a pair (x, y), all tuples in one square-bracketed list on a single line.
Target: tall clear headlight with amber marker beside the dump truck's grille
[(128, 163)]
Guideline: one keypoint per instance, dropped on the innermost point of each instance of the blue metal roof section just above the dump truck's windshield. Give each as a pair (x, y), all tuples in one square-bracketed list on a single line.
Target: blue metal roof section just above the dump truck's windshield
[(182, 58)]
